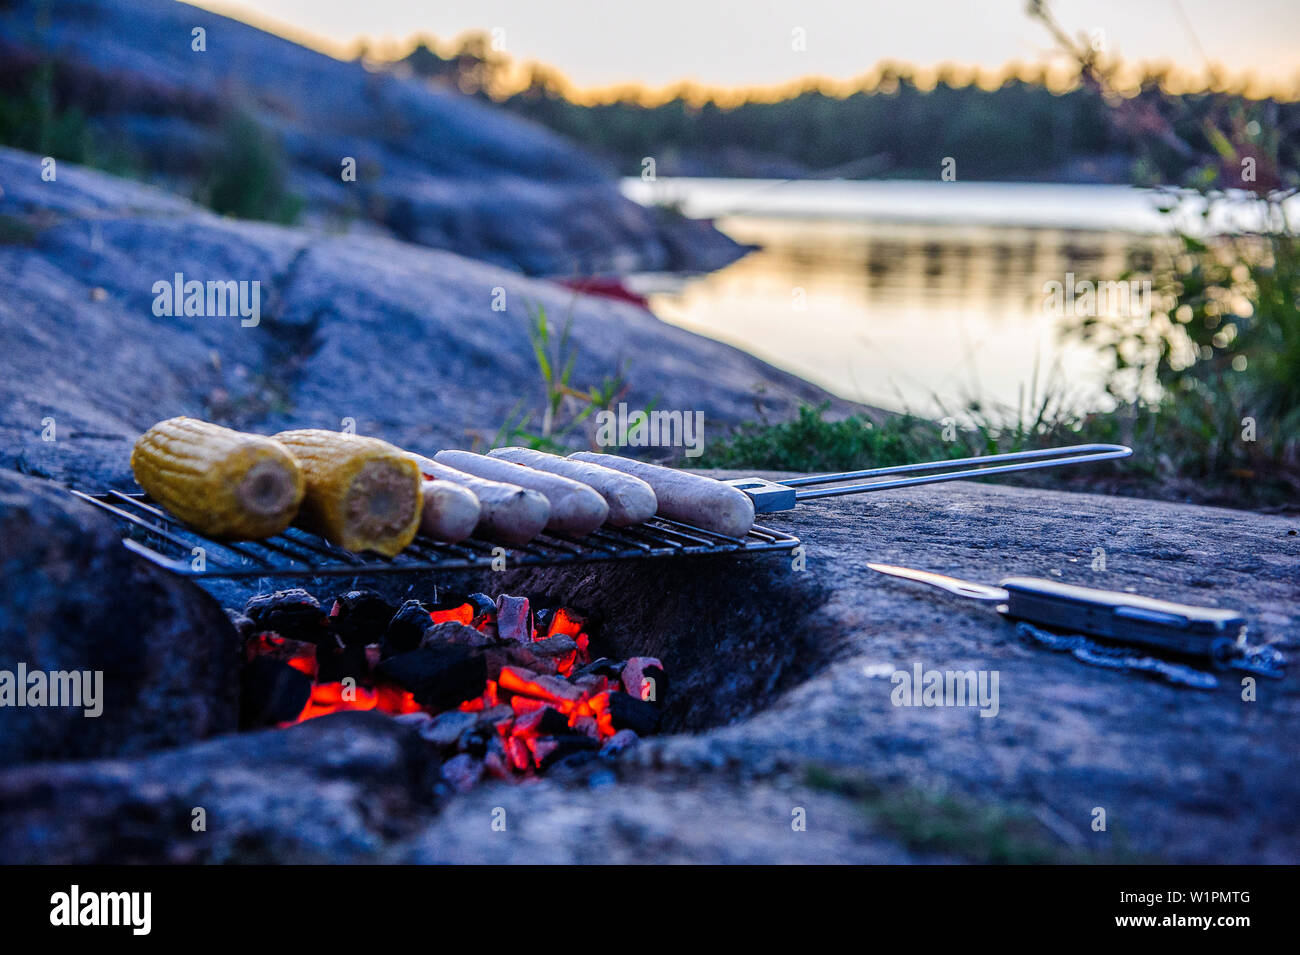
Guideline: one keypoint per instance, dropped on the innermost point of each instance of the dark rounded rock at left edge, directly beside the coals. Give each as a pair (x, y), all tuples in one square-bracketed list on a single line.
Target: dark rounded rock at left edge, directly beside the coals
[(75, 600)]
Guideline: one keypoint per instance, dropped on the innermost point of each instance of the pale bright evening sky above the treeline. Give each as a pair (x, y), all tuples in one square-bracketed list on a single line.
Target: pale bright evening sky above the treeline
[(739, 44)]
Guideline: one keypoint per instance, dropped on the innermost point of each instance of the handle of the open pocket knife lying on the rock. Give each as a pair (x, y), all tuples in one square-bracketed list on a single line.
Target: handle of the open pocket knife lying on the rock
[(1123, 618)]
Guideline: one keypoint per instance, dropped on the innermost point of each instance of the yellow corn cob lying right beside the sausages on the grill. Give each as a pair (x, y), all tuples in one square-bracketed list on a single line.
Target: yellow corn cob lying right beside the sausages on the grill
[(362, 493)]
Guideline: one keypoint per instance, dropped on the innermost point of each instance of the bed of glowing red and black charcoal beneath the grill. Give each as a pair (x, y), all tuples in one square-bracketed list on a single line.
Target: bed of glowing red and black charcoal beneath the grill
[(502, 689)]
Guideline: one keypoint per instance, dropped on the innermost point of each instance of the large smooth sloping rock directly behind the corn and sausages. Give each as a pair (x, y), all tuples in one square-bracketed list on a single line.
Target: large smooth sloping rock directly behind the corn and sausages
[(398, 338)]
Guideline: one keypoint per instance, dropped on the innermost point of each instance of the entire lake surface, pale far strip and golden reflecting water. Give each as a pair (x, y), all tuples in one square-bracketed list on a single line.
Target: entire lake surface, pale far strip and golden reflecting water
[(904, 294)]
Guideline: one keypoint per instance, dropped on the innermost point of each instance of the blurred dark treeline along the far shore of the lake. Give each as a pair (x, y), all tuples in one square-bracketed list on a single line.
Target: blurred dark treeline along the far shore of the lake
[(1021, 131)]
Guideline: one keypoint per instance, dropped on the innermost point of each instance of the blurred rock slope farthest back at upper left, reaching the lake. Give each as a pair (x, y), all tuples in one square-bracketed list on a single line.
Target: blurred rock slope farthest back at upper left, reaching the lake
[(434, 167)]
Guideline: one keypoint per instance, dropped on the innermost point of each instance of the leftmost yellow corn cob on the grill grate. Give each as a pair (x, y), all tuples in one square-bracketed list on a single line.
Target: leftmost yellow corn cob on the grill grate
[(224, 484)]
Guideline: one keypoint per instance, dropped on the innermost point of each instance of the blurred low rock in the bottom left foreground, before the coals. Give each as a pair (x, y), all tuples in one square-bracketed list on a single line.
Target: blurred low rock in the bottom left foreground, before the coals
[(337, 788)]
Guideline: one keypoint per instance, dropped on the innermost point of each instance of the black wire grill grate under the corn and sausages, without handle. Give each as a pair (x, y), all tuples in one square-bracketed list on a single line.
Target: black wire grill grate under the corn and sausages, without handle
[(163, 540)]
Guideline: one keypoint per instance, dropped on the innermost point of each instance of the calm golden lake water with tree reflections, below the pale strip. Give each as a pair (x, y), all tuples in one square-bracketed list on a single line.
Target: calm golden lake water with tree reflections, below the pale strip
[(909, 315)]
